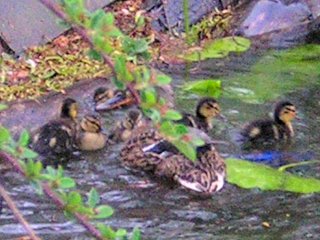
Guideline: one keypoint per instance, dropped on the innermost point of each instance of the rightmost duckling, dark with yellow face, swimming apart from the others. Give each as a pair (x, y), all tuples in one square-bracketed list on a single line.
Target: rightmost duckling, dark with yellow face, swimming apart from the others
[(272, 129)]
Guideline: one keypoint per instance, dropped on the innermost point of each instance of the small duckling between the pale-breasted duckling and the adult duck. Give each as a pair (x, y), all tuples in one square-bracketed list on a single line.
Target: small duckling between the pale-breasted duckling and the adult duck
[(124, 129)]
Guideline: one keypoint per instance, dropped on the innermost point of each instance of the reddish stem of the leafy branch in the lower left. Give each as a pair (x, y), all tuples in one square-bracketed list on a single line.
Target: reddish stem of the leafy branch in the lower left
[(53, 196)]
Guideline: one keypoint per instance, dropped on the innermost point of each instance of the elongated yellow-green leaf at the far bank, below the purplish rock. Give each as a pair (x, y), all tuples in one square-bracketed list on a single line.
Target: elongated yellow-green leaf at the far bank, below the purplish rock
[(219, 48)]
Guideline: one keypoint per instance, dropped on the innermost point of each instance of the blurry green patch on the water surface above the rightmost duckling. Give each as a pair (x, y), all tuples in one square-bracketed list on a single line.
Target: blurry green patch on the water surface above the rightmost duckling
[(276, 74)]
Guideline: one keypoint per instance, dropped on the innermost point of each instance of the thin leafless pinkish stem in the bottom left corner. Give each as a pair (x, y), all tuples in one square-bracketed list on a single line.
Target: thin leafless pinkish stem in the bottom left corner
[(17, 213)]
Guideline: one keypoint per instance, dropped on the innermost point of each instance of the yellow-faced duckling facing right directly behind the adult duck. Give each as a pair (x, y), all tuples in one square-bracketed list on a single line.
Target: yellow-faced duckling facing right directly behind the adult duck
[(207, 109)]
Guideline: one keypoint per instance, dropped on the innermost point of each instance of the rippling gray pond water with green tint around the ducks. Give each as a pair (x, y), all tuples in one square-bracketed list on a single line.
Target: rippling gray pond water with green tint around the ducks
[(252, 82)]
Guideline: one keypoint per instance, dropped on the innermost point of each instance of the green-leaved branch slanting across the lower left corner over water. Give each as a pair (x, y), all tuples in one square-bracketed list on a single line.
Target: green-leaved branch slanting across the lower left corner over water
[(58, 187)]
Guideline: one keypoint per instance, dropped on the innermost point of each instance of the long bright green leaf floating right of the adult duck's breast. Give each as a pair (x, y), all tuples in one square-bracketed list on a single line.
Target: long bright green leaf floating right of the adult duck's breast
[(252, 175)]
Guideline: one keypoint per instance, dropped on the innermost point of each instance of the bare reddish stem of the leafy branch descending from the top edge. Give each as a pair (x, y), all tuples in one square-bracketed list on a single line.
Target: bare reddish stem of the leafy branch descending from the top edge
[(82, 32)]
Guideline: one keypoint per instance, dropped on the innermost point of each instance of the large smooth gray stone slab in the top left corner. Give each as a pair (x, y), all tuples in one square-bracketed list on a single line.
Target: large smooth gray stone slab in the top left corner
[(26, 23)]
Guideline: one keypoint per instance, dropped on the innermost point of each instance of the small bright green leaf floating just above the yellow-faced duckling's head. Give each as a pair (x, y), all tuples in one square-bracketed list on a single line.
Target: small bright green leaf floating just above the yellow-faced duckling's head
[(209, 87)]
